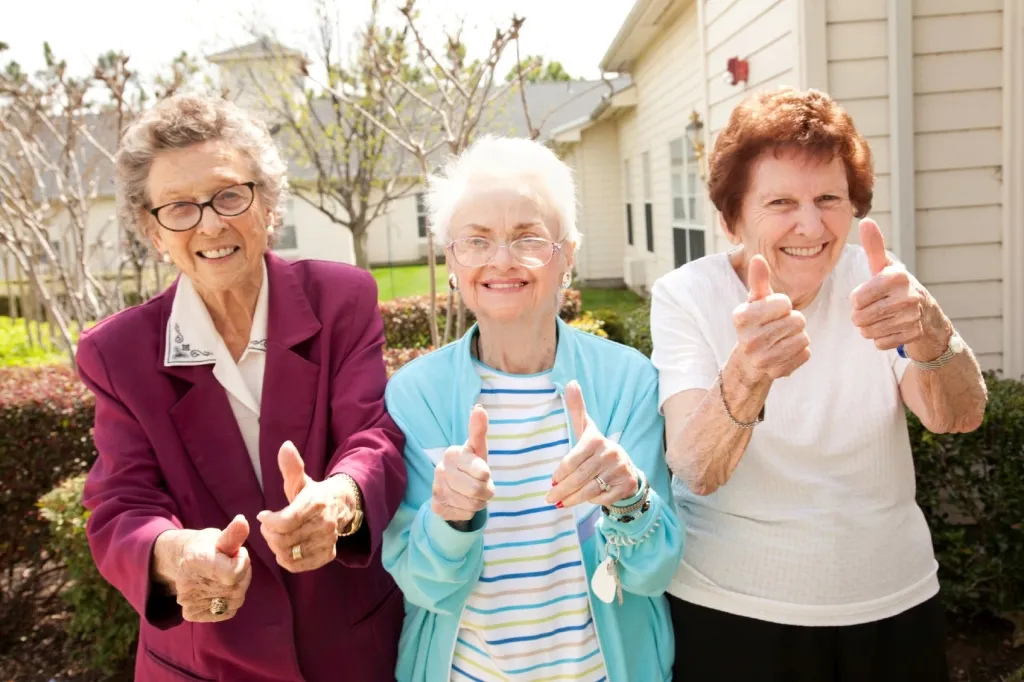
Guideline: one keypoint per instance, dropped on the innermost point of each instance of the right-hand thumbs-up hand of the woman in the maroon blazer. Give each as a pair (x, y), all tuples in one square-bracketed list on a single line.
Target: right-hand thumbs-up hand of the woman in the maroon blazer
[(312, 521)]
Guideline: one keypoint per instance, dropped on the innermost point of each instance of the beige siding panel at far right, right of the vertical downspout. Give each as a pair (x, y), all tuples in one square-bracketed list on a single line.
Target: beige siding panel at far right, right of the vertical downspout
[(958, 76)]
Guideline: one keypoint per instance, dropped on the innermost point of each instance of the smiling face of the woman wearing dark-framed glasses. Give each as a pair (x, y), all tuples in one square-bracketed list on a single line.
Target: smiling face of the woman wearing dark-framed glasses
[(221, 253)]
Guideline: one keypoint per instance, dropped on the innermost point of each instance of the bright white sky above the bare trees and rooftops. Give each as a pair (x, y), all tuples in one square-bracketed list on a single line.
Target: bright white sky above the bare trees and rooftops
[(574, 32)]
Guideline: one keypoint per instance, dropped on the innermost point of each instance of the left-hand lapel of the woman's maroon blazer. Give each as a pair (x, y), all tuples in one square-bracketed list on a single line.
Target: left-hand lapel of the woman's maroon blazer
[(211, 438)]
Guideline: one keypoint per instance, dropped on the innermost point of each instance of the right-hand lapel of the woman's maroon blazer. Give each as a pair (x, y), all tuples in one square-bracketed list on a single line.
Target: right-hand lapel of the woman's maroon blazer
[(290, 381)]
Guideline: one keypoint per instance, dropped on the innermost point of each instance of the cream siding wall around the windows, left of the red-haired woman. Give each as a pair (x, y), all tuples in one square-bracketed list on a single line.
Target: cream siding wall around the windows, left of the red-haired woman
[(669, 88)]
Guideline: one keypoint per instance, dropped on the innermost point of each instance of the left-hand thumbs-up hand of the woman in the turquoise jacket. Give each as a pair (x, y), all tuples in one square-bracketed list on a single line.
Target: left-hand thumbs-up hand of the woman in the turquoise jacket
[(462, 480)]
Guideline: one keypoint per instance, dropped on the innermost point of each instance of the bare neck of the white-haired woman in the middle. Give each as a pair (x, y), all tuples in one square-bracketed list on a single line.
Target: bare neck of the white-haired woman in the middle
[(519, 349)]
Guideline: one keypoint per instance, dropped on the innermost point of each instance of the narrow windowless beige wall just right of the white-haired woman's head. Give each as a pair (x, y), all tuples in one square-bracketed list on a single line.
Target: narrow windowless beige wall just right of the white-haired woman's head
[(603, 216)]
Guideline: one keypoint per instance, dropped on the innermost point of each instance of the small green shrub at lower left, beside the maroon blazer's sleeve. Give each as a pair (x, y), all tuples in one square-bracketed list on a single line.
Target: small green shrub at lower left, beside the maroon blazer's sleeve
[(103, 626)]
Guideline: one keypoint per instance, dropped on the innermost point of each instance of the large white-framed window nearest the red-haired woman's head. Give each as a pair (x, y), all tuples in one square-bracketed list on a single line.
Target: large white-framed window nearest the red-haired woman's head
[(688, 203)]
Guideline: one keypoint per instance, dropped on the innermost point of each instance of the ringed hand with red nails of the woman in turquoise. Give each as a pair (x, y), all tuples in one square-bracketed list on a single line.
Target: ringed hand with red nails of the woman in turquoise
[(593, 455)]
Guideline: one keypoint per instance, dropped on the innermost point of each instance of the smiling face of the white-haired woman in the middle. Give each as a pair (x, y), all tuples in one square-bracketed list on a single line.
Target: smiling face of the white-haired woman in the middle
[(505, 290)]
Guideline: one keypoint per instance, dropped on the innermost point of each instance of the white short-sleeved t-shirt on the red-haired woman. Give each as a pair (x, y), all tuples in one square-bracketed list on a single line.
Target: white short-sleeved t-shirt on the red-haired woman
[(819, 525)]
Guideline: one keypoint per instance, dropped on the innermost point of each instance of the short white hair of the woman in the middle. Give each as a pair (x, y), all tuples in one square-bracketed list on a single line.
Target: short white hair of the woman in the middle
[(492, 158)]
